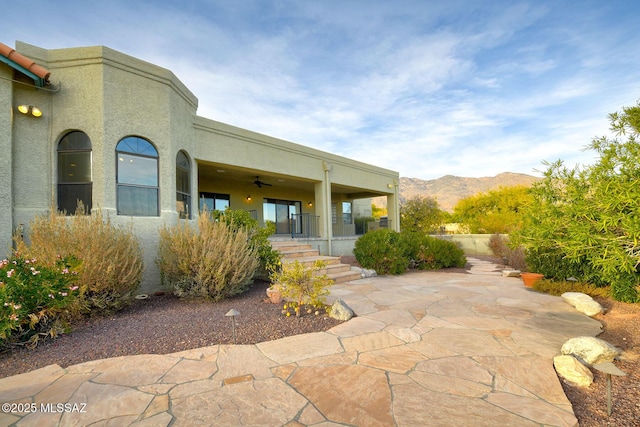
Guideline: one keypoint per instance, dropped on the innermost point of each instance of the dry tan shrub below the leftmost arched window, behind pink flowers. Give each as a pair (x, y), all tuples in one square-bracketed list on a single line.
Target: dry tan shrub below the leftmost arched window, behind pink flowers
[(110, 256)]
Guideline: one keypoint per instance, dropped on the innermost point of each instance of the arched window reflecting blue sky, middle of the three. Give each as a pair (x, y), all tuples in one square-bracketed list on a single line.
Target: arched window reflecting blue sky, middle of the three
[(137, 177)]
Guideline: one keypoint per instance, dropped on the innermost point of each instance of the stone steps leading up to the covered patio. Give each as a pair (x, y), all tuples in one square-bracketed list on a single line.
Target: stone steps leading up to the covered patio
[(294, 251)]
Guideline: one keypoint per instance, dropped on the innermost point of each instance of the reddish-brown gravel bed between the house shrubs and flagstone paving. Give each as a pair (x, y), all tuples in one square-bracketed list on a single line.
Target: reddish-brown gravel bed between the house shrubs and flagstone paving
[(165, 324)]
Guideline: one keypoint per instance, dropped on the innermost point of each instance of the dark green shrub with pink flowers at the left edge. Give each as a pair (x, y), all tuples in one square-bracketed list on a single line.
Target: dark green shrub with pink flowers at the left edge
[(36, 300)]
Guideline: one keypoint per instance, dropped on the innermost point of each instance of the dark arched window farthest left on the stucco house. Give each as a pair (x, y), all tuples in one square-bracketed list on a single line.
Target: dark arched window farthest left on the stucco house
[(74, 172)]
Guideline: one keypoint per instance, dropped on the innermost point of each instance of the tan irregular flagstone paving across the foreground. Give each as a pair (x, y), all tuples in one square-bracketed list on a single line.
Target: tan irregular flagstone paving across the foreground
[(425, 348)]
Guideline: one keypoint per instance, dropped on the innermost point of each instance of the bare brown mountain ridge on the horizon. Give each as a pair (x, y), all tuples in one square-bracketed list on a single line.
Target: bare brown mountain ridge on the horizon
[(448, 189)]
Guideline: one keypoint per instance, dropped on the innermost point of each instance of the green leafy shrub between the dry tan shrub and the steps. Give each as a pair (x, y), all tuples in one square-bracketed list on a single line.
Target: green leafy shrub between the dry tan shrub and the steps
[(269, 259)]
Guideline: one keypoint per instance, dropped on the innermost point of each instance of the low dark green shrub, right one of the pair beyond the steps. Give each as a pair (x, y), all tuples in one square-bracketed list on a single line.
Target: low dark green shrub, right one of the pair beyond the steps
[(429, 253)]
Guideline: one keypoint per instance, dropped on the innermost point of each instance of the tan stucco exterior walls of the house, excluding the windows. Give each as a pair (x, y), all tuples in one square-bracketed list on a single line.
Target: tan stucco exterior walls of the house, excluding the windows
[(109, 95)]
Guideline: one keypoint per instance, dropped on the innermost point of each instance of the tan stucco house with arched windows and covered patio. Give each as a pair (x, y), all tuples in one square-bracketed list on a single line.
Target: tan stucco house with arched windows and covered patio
[(122, 135)]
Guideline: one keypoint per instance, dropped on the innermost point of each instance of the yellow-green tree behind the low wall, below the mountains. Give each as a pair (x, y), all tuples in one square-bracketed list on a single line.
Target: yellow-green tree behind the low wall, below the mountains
[(497, 211)]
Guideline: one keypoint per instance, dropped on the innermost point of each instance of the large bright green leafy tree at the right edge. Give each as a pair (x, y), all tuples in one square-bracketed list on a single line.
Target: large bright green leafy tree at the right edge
[(586, 221)]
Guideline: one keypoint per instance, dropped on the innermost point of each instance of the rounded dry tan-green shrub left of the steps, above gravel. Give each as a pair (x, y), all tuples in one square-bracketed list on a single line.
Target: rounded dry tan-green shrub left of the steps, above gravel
[(217, 260)]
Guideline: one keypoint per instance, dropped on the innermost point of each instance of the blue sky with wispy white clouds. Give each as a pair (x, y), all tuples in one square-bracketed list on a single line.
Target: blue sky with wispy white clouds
[(426, 88)]
